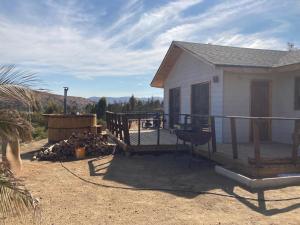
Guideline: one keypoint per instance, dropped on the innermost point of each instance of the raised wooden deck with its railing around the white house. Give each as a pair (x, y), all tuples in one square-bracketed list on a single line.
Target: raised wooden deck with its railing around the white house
[(257, 159)]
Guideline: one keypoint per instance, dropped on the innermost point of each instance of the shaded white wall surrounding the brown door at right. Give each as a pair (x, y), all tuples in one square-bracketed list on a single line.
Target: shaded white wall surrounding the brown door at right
[(237, 103)]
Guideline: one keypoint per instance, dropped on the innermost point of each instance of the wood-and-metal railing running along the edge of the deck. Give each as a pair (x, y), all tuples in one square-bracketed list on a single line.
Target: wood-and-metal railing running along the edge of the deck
[(132, 127)]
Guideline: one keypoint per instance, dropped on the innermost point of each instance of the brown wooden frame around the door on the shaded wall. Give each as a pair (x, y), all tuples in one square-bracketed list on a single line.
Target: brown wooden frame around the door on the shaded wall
[(270, 84)]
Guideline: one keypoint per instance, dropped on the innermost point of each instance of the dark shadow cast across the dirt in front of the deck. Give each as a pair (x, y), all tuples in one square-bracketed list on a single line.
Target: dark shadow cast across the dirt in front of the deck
[(173, 175)]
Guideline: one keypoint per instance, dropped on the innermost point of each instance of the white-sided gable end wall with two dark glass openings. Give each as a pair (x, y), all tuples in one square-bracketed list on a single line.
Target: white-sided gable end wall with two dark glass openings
[(187, 71)]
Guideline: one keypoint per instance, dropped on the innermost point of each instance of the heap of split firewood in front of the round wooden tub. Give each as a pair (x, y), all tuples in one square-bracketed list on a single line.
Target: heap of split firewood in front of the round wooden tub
[(94, 144)]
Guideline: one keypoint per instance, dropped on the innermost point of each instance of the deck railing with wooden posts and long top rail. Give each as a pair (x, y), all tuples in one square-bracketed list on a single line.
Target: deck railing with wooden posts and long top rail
[(120, 124)]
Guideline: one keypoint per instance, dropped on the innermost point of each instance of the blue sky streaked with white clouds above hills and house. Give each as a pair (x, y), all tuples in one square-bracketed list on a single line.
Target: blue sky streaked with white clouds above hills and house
[(113, 48)]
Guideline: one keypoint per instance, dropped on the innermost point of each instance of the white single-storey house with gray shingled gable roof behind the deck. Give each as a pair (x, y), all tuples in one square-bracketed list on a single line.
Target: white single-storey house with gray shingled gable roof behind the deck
[(231, 81)]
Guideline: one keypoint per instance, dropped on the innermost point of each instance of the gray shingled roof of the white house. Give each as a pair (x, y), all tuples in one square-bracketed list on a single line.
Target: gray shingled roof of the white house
[(235, 56)]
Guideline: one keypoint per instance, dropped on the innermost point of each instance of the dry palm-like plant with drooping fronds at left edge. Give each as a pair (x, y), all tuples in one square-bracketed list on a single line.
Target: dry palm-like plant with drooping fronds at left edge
[(15, 85)]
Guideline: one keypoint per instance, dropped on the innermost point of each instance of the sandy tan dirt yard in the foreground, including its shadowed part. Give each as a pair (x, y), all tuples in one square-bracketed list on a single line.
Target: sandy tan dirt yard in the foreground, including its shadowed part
[(82, 199)]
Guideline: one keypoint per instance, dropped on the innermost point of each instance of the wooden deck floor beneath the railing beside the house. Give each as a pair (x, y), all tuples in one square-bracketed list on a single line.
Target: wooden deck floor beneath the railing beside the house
[(275, 157)]
